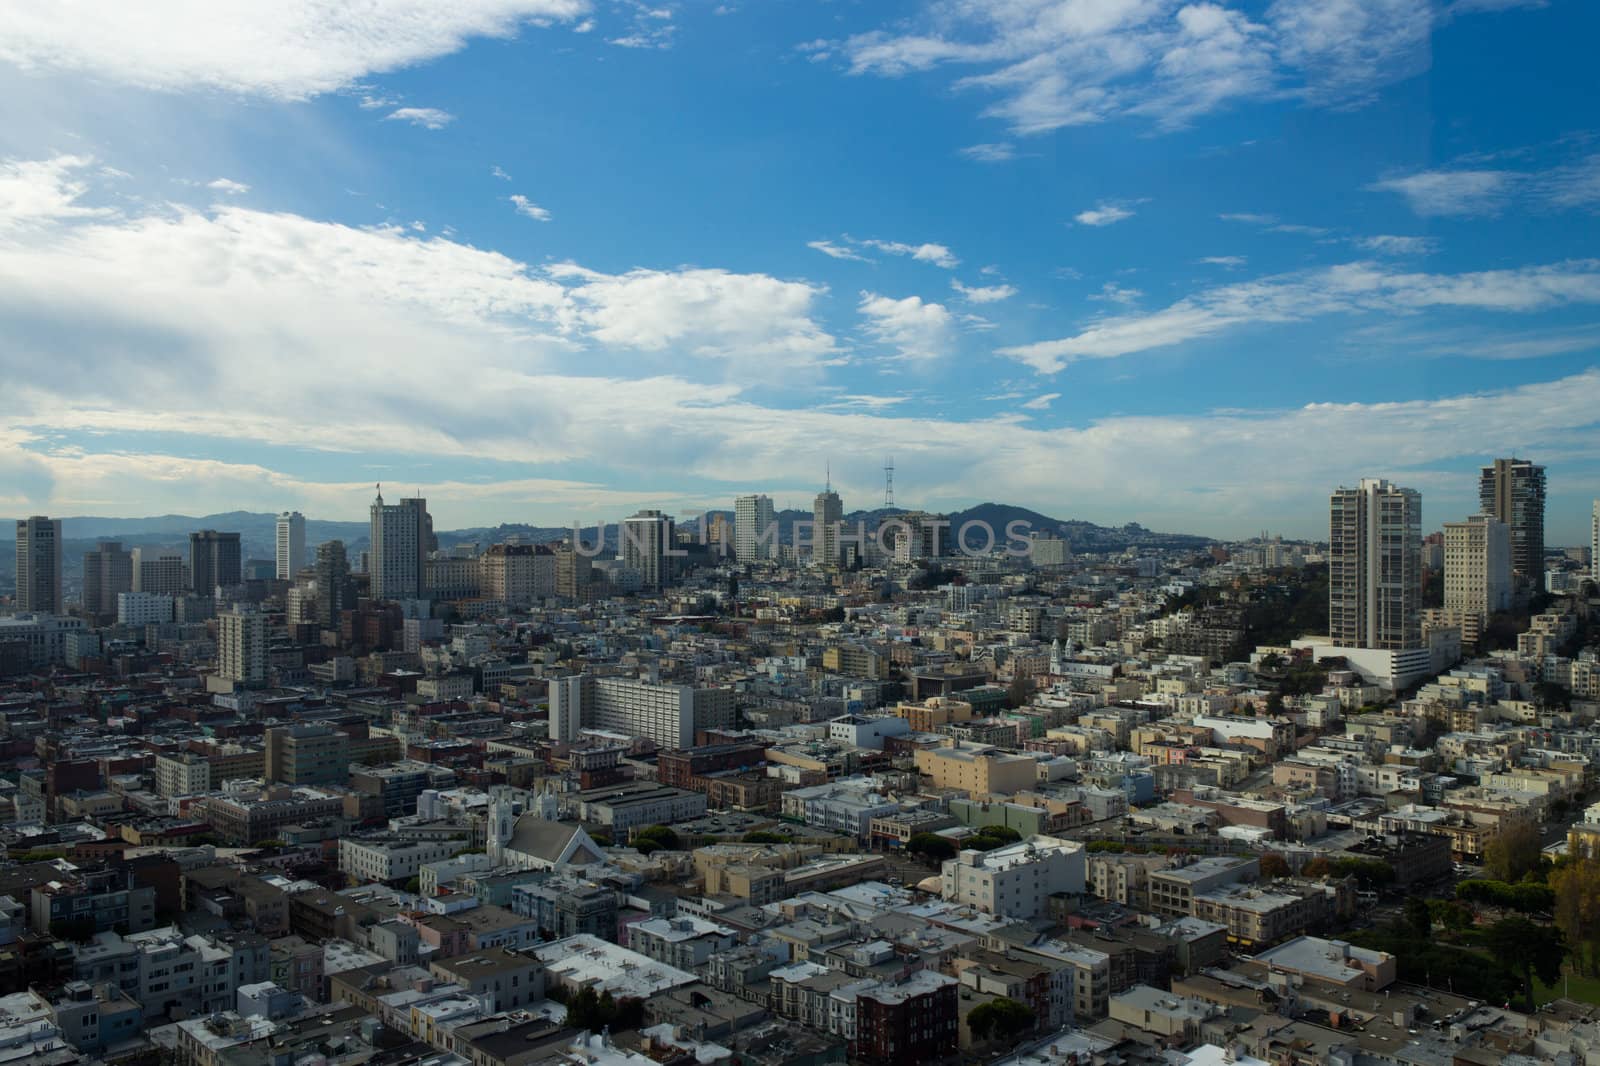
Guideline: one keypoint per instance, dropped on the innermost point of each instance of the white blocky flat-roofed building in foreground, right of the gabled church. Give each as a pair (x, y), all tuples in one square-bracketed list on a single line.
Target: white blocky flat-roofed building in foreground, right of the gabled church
[(1015, 881)]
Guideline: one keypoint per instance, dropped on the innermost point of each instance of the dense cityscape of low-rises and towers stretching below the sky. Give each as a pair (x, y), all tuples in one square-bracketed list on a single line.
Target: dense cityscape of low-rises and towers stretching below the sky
[(793, 790)]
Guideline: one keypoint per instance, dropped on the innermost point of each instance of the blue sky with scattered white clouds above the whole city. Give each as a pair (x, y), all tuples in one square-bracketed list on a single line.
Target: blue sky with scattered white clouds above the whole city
[(1191, 265)]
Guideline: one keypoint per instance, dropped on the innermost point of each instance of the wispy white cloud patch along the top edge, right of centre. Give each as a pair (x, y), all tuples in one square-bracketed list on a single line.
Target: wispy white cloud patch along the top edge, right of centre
[(1063, 63)]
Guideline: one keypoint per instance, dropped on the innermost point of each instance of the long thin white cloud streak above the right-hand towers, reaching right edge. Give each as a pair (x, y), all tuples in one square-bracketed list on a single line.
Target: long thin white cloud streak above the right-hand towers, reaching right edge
[(1353, 287)]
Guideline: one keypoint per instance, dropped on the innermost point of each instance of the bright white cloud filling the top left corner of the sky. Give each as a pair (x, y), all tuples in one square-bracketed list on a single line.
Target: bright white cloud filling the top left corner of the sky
[(284, 50)]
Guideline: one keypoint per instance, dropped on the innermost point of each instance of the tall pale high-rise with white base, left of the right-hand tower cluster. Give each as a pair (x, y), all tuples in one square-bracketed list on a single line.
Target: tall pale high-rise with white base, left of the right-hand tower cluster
[(1375, 555)]
